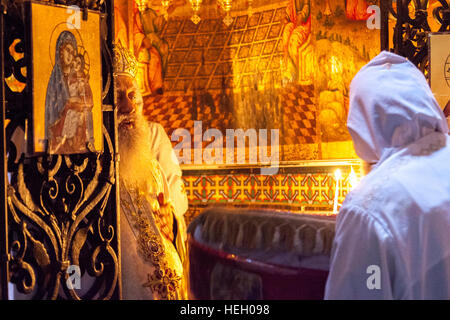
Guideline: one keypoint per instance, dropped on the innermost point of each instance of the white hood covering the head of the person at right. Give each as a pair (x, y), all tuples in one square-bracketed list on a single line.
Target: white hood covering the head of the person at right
[(391, 106)]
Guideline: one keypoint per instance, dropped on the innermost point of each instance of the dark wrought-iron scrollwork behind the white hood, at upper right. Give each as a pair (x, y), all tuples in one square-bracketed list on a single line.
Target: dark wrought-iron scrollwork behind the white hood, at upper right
[(410, 34)]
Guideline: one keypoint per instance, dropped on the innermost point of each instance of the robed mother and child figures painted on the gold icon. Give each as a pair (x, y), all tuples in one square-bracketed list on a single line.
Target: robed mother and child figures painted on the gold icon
[(69, 100)]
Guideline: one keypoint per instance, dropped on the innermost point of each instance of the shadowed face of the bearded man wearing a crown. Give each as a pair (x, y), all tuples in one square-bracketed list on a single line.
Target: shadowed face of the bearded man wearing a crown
[(129, 101)]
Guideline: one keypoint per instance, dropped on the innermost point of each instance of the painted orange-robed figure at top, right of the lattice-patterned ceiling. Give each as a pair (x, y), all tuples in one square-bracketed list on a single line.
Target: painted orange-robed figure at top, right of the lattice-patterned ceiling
[(296, 33)]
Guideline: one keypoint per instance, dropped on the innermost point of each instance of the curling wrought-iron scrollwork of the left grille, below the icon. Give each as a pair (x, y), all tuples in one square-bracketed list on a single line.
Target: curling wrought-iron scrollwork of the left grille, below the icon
[(58, 215)]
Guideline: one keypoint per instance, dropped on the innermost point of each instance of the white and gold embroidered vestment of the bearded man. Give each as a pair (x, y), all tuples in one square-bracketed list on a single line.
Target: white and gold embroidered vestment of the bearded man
[(153, 266)]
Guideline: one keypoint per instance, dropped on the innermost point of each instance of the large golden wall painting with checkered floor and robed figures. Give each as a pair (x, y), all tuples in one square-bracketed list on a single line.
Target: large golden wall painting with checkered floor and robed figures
[(283, 65)]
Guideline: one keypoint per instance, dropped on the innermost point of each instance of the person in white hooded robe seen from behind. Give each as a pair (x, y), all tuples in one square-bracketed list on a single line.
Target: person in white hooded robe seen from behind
[(392, 236)]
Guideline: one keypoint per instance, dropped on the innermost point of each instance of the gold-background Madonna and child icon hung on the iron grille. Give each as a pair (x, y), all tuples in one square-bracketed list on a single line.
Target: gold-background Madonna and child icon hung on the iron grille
[(65, 71)]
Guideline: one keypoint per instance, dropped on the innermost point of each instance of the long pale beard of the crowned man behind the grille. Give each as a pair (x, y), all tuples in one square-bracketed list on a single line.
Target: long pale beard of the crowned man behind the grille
[(135, 151)]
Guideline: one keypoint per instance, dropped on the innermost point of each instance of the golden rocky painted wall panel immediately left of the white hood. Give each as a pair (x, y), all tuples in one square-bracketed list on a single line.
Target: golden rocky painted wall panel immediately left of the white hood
[(342, 45)]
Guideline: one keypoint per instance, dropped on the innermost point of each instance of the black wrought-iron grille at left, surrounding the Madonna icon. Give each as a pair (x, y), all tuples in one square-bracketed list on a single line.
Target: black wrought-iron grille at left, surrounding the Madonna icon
[(58, 211)]
